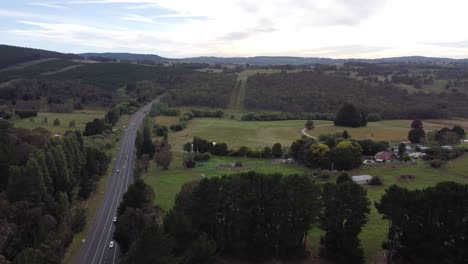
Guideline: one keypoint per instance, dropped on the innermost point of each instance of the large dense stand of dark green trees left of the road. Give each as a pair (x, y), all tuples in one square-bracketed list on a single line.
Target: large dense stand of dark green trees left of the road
[(41, 178)]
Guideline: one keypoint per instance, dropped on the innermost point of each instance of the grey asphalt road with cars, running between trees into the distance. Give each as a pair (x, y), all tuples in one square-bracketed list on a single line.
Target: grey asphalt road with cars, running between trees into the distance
[(95, 248)]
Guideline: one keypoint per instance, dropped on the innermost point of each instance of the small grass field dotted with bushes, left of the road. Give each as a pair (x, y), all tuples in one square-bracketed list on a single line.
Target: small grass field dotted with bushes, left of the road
[(80, 117)]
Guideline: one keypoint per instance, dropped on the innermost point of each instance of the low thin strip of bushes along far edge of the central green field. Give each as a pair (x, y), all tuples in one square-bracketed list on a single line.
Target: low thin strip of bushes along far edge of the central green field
[(271, 116)]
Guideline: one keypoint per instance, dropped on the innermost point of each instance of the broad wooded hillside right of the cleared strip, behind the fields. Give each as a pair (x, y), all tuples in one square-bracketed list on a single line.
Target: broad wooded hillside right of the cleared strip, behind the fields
[(310, 91)]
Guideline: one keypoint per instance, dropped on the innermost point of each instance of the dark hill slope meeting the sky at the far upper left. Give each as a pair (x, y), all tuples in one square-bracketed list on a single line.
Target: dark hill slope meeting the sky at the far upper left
[(11, 55)]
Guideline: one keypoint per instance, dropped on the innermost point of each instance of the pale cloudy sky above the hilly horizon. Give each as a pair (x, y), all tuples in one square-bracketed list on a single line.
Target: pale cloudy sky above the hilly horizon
[(188, 28)]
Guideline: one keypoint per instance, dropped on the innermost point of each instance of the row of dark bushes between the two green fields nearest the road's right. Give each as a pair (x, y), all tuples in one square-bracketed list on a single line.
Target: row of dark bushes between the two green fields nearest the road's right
[(221, 149)]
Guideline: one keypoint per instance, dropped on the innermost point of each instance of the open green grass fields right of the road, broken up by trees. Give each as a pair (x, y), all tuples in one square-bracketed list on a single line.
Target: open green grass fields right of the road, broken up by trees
[(259, 134)]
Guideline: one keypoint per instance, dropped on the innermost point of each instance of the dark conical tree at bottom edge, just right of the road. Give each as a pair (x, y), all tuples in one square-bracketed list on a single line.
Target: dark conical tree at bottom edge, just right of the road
[(152, 247)]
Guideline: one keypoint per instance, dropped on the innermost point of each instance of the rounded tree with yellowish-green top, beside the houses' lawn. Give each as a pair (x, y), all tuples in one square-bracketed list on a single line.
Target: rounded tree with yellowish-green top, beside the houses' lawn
[(346, 155)]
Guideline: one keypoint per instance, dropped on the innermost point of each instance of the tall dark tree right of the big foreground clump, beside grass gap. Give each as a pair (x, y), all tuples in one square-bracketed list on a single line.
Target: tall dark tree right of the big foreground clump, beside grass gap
[(346, 212)]
